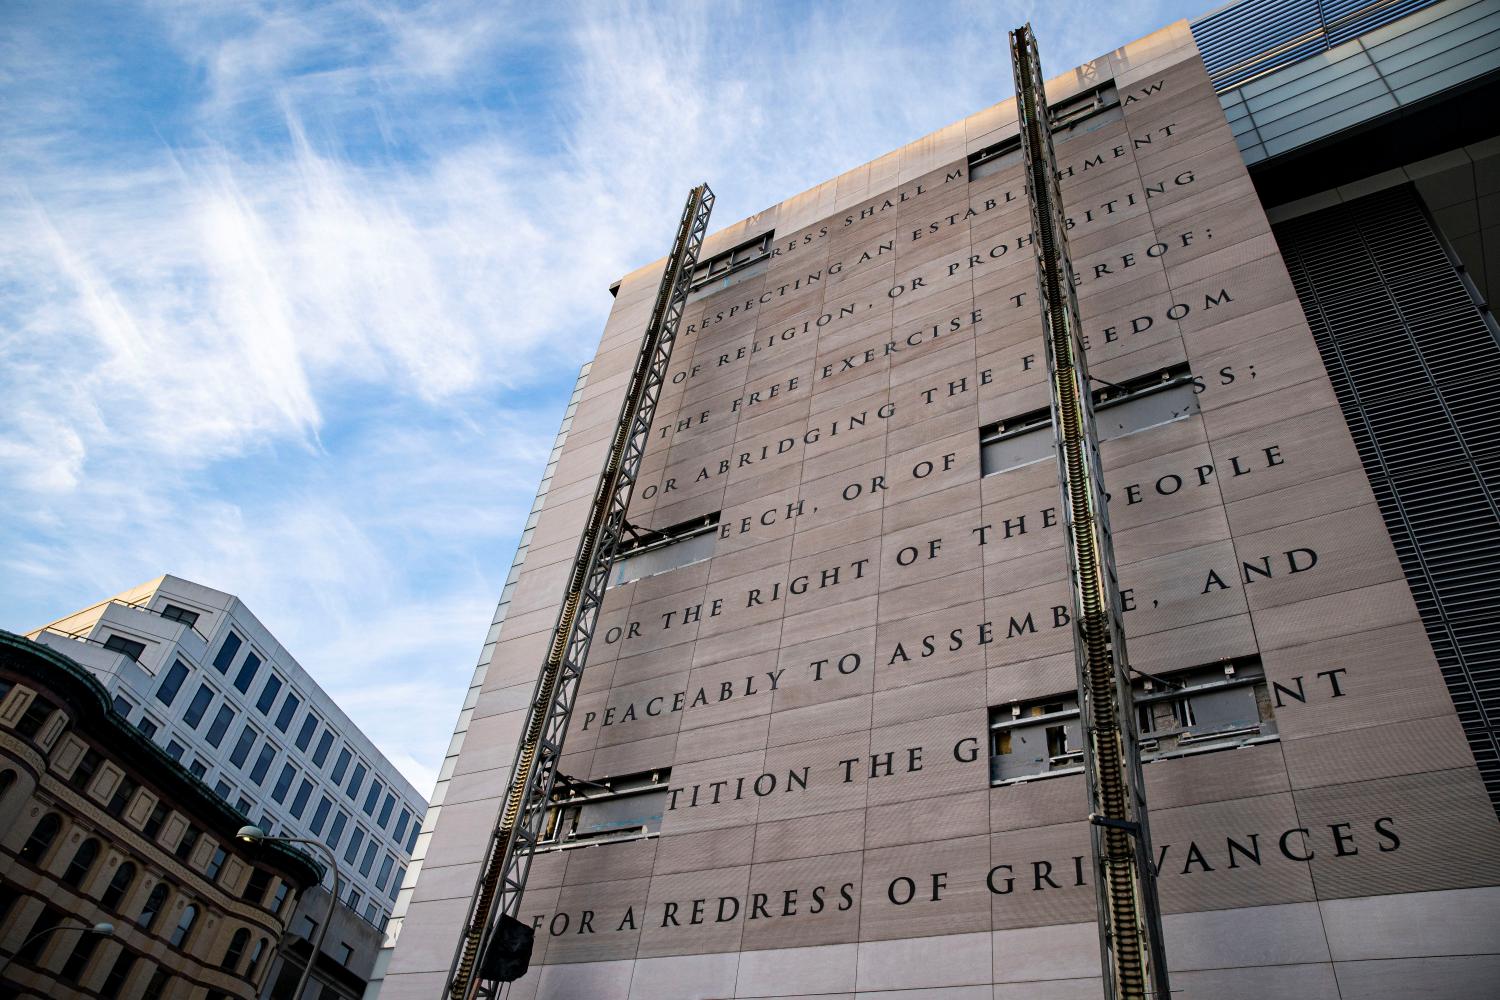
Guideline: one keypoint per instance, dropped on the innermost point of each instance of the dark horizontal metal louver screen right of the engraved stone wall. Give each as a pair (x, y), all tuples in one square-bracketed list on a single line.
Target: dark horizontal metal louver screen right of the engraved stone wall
[(1417, 368)]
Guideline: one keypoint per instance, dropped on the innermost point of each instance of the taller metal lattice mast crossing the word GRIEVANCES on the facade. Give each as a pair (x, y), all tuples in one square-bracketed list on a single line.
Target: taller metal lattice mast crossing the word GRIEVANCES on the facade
[(1126, 882)]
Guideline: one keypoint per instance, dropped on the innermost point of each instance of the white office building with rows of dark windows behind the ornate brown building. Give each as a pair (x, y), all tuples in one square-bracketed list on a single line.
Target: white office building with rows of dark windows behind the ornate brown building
[(199, 674)]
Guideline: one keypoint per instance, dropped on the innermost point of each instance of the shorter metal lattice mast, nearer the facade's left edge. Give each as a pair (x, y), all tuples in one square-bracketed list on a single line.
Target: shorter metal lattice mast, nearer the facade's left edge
[(496, 947)]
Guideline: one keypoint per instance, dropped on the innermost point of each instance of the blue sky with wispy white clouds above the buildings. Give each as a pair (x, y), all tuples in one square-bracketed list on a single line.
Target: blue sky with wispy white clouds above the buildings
[(292, 295)]
